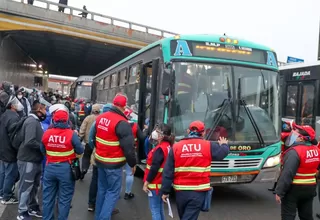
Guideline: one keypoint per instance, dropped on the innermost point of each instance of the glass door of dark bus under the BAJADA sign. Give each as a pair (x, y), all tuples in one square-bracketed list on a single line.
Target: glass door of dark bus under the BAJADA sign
[(300, 102)]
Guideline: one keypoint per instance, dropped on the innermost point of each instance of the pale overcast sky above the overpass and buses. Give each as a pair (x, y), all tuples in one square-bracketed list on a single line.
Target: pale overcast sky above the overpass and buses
[(290, 27)]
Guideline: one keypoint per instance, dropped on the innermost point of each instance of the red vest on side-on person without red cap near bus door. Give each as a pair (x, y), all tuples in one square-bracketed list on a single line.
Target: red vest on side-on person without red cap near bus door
[(156, 182)]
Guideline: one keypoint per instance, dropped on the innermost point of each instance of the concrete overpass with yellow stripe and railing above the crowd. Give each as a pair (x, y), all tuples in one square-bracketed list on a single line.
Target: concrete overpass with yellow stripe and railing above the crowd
[(67, 44)]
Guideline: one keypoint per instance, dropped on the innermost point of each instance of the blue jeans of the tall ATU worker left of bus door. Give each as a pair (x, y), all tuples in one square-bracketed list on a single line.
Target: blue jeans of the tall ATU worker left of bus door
[(109, 189)]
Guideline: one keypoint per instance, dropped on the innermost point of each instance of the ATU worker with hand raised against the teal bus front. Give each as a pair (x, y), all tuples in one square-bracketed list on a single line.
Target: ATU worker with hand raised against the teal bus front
[(188, 169)]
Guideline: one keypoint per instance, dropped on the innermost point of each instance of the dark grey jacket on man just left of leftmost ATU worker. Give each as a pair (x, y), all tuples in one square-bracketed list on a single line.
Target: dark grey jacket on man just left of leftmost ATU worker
[(29, 150)]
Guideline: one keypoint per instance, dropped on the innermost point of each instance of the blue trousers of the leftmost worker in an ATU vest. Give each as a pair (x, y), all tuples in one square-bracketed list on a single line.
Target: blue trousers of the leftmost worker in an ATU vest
[(57, 181)]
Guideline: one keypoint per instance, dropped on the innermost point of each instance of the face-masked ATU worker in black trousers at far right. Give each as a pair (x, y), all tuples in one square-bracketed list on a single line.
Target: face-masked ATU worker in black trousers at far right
[(296, 187)]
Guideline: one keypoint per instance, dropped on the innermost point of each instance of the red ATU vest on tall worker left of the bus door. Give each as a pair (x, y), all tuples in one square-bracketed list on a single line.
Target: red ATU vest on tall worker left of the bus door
[(108, 148)]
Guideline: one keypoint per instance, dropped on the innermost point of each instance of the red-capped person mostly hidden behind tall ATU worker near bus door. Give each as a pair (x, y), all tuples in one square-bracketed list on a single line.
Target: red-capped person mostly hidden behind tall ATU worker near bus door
[(138, 137)]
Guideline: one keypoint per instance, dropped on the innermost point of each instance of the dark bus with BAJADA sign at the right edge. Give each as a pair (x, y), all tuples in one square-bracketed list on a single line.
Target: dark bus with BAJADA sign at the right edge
[(300, 91)]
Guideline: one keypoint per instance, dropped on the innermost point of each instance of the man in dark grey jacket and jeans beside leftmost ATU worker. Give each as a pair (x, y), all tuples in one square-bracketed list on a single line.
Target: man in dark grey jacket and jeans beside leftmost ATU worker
[(29, 163)]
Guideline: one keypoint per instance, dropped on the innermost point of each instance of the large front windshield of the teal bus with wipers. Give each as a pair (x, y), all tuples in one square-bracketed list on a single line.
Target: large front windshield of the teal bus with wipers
[(201, 92)]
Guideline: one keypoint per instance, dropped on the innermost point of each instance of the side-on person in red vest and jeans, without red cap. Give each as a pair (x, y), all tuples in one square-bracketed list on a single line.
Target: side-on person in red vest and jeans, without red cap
[(153, 174)]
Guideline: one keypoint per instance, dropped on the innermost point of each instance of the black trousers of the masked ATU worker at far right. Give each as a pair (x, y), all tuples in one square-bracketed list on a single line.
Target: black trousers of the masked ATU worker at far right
[(298, 198)]
